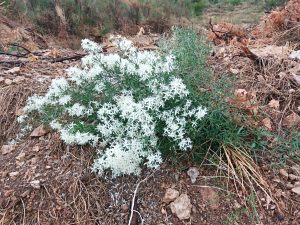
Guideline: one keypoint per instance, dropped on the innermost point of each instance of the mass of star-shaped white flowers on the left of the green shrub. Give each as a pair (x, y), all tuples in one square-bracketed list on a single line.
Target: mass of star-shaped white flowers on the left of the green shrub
[(127, 100)]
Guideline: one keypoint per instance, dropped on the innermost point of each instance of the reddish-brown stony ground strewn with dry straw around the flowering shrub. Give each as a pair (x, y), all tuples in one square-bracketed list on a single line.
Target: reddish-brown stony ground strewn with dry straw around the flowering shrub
[(42, 181)]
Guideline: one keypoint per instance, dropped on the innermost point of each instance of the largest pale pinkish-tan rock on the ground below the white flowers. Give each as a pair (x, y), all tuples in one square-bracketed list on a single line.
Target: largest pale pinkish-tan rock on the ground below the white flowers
[(182, 207)]
